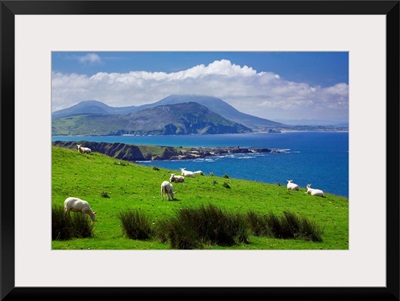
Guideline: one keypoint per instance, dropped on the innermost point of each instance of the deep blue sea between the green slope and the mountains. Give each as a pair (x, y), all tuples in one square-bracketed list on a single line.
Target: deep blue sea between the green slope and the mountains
[(317, 158)]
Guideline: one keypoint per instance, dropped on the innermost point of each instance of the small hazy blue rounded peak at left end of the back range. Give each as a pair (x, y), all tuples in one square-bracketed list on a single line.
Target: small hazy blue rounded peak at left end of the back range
[(92, 107)]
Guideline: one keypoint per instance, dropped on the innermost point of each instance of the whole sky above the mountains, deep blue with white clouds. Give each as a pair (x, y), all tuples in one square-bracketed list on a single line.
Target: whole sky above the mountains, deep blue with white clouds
[(272, 85)]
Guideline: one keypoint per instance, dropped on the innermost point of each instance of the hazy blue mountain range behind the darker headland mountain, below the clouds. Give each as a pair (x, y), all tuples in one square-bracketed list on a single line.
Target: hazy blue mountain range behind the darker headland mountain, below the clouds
[(214, 104)]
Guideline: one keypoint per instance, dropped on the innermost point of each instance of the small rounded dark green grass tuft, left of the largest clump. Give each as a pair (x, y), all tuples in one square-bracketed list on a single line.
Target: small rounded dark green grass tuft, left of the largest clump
[(136, 224)]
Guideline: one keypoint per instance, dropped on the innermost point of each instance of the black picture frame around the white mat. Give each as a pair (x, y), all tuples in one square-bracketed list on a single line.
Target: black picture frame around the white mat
[(9, 9)]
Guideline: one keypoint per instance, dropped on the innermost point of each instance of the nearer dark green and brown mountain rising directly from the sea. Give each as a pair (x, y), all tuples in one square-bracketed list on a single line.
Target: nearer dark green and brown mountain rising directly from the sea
[(176, 119)]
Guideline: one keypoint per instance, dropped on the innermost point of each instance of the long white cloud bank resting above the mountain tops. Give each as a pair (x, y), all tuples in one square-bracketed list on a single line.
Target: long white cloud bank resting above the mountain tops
[(263, 94)]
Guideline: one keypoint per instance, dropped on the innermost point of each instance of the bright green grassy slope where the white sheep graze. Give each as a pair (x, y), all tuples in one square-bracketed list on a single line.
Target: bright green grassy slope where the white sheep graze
[(129, 185)]
